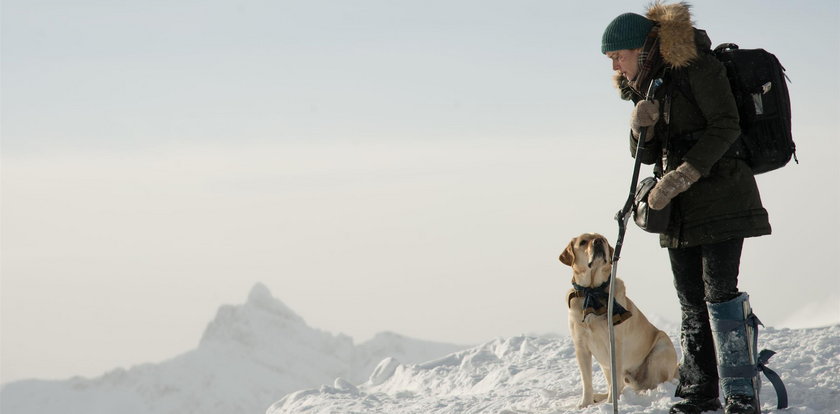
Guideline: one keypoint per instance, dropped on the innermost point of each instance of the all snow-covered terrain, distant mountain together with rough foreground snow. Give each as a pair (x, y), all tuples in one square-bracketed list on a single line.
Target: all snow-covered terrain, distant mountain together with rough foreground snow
[(261, 352)]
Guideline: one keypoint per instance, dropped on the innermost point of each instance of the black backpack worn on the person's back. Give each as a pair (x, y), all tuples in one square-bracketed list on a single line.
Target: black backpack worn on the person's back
[(758, 83)]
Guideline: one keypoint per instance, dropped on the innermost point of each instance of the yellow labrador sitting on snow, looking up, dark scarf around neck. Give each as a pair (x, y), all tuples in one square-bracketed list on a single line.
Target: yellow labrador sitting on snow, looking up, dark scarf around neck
[(645, 356)]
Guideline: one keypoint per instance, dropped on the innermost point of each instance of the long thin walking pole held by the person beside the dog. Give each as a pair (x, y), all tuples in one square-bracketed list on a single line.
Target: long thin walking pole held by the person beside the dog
[(622, 217)]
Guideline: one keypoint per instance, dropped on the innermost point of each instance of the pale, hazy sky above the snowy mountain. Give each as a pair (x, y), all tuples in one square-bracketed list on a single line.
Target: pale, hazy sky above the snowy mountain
[(412, 166)]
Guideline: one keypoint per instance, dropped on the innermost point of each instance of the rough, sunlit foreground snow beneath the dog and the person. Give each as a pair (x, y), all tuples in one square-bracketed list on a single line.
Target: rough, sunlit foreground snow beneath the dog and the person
[(539, 375)]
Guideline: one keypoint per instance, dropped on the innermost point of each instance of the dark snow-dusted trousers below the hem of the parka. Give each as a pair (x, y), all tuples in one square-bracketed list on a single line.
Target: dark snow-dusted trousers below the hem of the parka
[(706, 273)]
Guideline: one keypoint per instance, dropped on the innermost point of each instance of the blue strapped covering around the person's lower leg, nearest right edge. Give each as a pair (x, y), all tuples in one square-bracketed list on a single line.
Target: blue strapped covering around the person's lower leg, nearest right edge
[(734, 330)]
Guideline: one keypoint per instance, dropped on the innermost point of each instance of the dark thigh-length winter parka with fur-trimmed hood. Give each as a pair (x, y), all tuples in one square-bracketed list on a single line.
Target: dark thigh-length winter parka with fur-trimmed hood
[(699, 129)]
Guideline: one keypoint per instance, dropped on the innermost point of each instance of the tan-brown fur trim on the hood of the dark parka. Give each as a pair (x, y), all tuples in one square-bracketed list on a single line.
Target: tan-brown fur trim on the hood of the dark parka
[(678, 39)]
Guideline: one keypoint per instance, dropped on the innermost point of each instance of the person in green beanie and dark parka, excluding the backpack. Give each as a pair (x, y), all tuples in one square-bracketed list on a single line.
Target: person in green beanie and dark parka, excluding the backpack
[(692, 124)]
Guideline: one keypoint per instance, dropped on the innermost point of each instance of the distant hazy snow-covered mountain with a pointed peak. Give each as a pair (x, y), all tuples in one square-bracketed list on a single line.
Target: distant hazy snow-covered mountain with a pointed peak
[(249, 356)]
